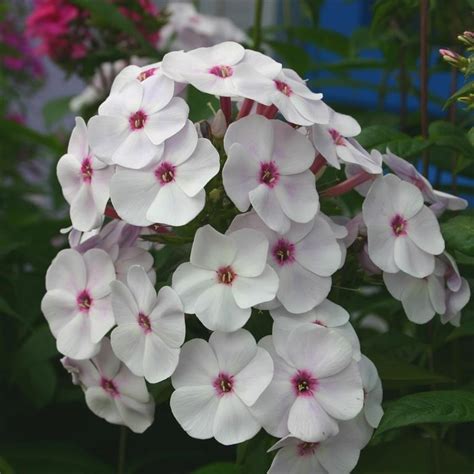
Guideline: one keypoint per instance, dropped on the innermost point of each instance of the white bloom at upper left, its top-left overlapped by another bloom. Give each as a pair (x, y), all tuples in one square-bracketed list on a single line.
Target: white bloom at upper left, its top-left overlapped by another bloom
[(170, 189)]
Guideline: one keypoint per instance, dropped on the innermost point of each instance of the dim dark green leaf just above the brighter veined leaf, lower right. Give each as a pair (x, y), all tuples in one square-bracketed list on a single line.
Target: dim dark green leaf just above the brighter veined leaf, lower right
[(395, 373)]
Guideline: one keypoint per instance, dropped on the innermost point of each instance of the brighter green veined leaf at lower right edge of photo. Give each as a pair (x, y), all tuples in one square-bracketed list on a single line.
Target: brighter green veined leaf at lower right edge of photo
[(442, 406)]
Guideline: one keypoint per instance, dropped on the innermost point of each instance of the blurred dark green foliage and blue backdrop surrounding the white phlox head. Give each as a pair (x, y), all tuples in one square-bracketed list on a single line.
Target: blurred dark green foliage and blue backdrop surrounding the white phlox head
[(371, 72)]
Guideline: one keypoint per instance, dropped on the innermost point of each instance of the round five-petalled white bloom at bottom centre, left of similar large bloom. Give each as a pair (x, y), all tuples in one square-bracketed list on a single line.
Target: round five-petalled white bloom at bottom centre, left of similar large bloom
[(216, 383)]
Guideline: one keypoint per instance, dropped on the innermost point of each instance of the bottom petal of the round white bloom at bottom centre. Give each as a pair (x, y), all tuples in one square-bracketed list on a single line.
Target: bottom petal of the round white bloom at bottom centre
[(233, 422)]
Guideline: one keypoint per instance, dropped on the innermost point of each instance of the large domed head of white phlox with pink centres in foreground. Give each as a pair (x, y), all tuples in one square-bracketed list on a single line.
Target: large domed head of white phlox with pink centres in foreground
[(240, 197)]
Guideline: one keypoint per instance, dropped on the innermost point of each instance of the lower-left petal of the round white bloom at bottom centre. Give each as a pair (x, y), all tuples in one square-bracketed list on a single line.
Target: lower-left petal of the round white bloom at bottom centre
[(195, 409)]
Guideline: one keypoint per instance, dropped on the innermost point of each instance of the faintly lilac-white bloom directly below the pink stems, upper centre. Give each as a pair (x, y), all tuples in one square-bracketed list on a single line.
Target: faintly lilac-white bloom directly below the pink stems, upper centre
[(261, 170)]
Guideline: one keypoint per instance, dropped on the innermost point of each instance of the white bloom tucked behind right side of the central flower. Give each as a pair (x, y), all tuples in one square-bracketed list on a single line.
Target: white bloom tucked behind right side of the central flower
[(304, 258)]
